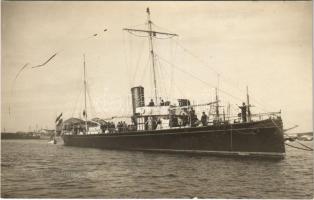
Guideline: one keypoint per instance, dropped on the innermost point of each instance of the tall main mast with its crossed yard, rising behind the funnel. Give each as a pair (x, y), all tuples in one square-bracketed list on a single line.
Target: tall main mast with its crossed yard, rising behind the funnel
[(151, 34)]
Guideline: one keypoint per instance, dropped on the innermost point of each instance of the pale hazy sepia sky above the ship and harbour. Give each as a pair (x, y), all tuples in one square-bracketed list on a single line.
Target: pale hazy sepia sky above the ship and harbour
[(266, 46)]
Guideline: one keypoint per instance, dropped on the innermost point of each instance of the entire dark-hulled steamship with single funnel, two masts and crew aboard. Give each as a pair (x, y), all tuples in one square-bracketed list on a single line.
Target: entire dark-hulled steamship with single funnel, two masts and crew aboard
[(169, 127)]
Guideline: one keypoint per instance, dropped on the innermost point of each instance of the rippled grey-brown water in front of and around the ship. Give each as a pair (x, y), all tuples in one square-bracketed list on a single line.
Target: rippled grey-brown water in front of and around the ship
[(36, 169)]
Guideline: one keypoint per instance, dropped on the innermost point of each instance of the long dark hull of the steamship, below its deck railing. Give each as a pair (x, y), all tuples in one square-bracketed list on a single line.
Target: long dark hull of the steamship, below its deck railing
[(257, 139)]
